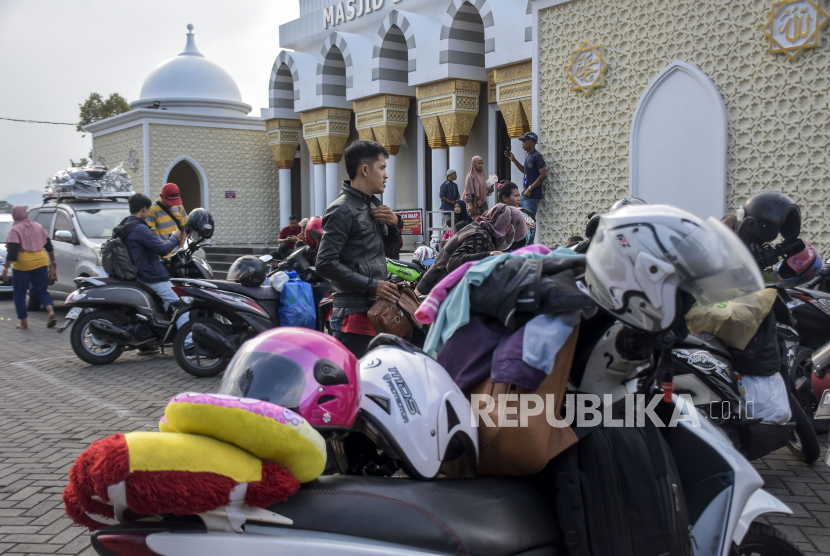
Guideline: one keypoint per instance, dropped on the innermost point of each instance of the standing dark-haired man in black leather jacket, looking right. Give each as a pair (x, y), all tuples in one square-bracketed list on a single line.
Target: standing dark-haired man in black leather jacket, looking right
[(358, 234)]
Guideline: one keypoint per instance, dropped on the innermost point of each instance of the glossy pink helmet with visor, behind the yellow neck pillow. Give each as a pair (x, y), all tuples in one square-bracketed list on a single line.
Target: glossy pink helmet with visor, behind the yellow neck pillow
[(301, 369)]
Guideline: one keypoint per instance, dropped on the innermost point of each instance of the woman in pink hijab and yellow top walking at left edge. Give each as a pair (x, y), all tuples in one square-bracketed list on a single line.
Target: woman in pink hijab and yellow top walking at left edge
[(30, 254)]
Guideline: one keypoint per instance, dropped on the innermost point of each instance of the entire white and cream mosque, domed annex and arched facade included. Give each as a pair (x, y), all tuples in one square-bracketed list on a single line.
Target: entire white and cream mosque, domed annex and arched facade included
[(697, 104)]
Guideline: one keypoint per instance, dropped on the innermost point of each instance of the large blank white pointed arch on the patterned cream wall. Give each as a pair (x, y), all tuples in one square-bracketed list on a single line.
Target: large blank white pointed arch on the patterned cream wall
[(678, 142)]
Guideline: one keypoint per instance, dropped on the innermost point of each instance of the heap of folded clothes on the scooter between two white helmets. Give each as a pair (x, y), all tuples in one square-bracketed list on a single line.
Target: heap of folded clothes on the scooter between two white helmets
[(505, 317)]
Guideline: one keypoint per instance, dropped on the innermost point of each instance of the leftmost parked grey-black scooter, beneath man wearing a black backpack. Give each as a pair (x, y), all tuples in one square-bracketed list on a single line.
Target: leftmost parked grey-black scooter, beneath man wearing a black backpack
[(111, 316)]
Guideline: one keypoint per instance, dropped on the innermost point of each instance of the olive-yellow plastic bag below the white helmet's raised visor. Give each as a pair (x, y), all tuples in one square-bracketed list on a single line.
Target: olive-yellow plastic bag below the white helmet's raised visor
[(734, 322)]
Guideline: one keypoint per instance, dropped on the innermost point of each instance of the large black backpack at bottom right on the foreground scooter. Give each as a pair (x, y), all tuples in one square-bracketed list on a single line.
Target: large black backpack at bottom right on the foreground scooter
[(617, 492)]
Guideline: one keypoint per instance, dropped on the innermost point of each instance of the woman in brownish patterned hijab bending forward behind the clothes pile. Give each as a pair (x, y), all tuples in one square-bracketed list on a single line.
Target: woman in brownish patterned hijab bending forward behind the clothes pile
[(498, 229)]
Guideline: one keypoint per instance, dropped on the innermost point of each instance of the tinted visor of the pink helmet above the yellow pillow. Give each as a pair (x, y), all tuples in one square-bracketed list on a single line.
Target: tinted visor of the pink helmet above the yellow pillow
[(264, 376)]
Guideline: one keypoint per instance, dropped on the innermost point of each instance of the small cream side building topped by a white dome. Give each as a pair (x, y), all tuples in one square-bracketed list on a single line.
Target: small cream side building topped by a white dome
[(190, 127)]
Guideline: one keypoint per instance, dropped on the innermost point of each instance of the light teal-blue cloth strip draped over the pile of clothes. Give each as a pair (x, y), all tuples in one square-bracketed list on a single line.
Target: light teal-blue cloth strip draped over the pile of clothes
[(454, 311)]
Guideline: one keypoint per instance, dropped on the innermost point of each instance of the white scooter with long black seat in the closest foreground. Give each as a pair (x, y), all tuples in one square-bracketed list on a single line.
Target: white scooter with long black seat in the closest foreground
[(373, 515)]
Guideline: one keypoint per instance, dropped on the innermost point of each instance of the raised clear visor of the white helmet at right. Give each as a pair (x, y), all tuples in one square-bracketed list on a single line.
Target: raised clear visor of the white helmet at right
[(714, 262)]
